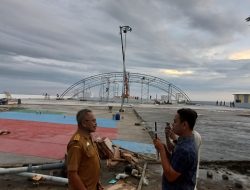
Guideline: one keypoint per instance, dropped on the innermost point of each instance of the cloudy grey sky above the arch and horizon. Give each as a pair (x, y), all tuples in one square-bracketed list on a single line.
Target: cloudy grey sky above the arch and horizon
[(201, 46)]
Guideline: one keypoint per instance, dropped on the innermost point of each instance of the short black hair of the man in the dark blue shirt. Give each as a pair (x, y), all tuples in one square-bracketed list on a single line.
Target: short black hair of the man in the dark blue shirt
[(188, 115)]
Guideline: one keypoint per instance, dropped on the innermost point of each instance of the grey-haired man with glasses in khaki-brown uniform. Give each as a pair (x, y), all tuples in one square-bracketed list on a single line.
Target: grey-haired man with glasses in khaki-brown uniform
[(83, 163)]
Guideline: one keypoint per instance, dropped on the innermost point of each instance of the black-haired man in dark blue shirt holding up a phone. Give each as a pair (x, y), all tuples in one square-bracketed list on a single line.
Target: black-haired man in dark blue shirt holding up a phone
[(179, 171)]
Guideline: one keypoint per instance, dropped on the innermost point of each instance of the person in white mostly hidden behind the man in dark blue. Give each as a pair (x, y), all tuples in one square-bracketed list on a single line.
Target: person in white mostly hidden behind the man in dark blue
[(169, 134)]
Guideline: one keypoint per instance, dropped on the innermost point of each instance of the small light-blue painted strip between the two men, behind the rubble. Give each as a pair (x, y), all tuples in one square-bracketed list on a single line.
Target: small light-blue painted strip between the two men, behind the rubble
[(136, 147)]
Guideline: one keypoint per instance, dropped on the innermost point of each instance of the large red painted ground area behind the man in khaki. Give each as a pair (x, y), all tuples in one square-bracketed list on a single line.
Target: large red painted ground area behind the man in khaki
[(41, 139)]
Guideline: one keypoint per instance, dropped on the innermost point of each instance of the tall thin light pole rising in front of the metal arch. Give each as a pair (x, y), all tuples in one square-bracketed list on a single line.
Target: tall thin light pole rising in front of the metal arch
[(124, 30)]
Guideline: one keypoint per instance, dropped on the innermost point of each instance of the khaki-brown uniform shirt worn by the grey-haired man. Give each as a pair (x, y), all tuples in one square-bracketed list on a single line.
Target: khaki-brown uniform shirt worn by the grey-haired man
[(83, 157)]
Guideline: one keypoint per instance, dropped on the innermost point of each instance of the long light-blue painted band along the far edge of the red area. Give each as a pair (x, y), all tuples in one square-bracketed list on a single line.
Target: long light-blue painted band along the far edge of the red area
[(53, 118)]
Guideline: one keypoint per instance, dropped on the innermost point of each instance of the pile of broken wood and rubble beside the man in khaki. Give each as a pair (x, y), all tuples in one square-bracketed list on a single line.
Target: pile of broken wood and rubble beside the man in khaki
[(135, 167)]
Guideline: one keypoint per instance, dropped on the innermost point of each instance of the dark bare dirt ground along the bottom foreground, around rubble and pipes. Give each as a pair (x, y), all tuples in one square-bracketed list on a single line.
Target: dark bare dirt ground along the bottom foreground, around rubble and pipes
[(153, 175)]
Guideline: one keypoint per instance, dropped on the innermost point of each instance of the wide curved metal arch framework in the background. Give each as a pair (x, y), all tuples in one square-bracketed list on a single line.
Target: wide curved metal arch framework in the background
[(109, 83)]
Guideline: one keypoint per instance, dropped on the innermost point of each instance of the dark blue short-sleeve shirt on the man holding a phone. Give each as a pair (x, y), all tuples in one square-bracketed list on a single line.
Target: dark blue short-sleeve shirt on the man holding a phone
[(184, 161)]
